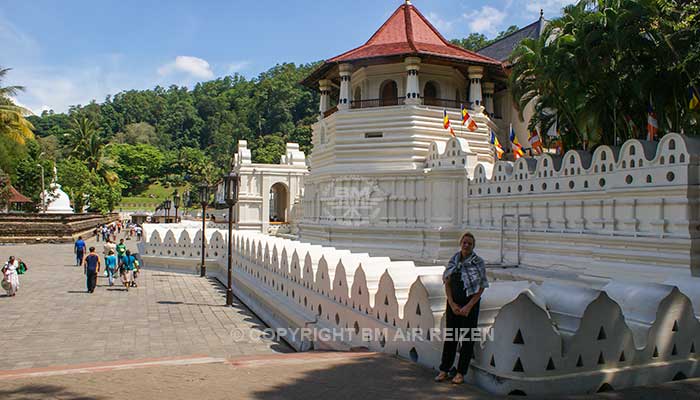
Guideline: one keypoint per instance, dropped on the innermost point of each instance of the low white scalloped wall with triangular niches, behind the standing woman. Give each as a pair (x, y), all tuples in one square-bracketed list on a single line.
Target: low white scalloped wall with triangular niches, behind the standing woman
[(542, 339)]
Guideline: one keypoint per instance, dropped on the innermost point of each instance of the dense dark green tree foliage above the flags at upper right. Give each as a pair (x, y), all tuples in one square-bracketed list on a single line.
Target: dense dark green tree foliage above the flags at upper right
[(598, 69)]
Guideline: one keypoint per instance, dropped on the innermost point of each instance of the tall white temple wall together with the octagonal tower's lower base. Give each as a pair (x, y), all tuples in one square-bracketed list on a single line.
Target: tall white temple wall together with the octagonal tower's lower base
[(632, 209)]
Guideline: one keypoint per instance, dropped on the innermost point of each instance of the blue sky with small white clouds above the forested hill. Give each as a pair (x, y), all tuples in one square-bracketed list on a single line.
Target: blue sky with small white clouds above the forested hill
[(73, 51)]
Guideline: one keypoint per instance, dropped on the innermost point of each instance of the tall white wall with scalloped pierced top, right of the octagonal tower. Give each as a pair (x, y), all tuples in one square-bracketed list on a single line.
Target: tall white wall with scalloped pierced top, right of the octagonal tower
[(633, 207)]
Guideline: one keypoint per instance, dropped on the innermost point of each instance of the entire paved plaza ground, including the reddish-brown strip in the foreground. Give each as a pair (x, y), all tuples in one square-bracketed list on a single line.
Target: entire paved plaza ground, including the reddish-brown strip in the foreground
[(171, 338)]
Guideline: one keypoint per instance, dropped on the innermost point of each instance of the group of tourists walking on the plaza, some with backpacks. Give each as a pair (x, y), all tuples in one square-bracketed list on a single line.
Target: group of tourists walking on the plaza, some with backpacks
[(118, 260)]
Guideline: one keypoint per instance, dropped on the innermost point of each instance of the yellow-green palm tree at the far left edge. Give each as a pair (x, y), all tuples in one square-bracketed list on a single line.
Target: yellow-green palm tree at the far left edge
[(13, 125)]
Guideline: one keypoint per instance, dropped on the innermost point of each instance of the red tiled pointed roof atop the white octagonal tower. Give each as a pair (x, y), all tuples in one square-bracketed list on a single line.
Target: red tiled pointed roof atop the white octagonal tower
[(408, 32)]
